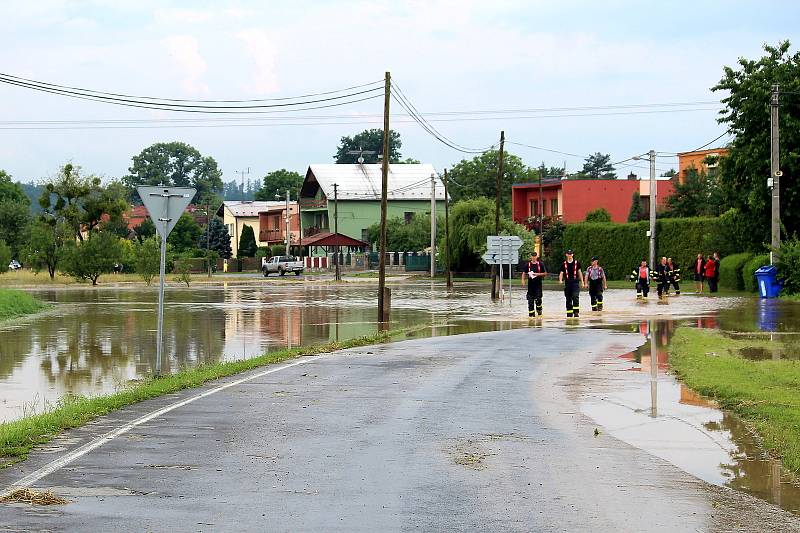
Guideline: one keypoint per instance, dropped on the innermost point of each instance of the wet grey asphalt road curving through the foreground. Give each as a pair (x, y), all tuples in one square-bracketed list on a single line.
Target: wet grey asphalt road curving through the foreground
[(470, 433)]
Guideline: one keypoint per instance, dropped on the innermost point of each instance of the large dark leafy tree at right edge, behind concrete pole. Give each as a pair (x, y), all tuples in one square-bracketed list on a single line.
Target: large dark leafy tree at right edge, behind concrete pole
[(744, 172)]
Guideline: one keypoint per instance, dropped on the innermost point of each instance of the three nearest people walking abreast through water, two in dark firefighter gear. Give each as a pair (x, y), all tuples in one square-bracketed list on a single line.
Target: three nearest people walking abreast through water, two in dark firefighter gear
[(573, 278)]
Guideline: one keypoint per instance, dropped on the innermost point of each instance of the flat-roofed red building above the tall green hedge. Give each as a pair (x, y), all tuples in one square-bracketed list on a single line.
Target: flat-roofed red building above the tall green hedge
[(571, 199)]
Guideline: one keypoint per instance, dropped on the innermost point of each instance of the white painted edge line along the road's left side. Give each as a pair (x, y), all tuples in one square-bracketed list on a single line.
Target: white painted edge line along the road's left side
[(51, 467)]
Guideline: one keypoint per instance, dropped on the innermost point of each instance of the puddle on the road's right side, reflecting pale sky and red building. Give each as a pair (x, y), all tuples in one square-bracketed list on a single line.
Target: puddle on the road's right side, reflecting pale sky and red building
[(647, 407)]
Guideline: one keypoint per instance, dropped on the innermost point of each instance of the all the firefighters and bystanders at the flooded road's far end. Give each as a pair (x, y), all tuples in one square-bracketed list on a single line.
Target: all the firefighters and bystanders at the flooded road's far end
[(666, 276)]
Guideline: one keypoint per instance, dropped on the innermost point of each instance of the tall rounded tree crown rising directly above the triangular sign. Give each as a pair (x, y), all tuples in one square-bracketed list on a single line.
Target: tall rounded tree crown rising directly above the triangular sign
[(174, 164)]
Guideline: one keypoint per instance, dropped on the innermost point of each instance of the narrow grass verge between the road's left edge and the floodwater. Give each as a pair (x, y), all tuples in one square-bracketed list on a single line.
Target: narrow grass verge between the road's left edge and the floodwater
[(18, 437)]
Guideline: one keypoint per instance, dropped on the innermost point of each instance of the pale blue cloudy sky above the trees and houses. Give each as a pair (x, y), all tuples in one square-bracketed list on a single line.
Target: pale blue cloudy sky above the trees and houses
[(548, 60)]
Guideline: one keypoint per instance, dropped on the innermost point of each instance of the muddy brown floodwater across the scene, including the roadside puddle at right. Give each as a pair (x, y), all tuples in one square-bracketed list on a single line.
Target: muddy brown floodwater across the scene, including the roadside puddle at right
[(98, 339)]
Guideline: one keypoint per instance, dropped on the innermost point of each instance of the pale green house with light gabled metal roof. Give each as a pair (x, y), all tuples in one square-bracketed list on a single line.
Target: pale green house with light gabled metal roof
[(358, 189)]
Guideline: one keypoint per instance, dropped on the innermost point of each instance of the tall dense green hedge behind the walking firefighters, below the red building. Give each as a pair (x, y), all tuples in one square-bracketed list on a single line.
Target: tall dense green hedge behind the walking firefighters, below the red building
[(622, 246)]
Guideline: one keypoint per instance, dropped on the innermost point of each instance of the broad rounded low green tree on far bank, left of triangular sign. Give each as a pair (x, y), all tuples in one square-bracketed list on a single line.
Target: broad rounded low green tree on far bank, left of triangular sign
[(93, 257)]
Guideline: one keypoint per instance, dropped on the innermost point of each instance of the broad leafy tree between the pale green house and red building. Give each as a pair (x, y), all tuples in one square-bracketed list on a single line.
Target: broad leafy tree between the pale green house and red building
[(477, 177)]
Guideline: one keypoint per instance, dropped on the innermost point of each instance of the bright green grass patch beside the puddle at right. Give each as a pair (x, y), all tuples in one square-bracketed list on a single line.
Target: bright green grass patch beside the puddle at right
[(766, 394)]
